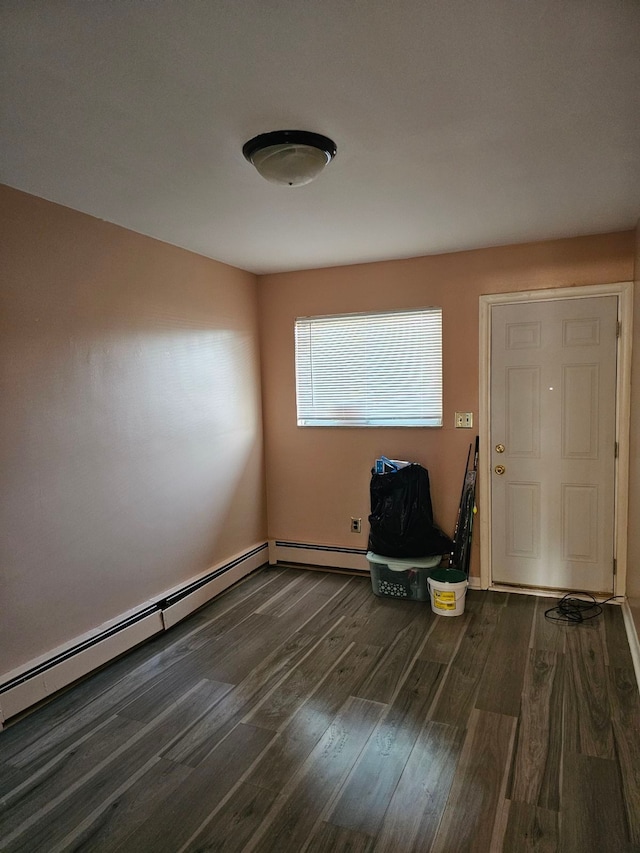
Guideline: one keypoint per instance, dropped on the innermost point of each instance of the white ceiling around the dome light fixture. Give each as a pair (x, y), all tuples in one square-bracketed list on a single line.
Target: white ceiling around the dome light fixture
[(459, 123)]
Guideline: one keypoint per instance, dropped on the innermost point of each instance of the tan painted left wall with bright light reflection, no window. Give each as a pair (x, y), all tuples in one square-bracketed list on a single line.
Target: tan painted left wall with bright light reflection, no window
[(131, 433)]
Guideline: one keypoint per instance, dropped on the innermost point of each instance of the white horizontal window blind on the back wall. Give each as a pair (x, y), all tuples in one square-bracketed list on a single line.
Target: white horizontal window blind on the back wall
[(370, 369)]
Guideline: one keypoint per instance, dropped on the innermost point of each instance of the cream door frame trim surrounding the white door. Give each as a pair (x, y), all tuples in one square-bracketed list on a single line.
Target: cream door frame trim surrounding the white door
[(624, 291)]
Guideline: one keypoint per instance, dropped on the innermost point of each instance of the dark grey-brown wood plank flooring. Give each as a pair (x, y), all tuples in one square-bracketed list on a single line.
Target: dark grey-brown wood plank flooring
[(299, 712)]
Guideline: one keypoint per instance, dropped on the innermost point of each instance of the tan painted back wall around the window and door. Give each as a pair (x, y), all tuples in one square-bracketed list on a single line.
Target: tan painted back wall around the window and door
[(317, 478)]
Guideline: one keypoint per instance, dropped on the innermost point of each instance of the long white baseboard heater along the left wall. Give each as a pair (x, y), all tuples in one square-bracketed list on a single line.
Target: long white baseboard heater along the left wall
[(42, 678)]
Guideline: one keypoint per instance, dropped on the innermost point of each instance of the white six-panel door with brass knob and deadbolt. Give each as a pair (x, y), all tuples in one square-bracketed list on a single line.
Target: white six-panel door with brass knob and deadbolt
[(552, 433)]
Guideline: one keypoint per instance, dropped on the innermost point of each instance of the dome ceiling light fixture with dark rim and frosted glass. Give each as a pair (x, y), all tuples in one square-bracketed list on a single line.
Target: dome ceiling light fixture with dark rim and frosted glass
[(291, 157)]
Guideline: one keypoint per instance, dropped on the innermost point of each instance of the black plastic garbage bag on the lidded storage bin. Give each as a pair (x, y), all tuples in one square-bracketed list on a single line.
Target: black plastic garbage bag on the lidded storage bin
[(401, 520)]
